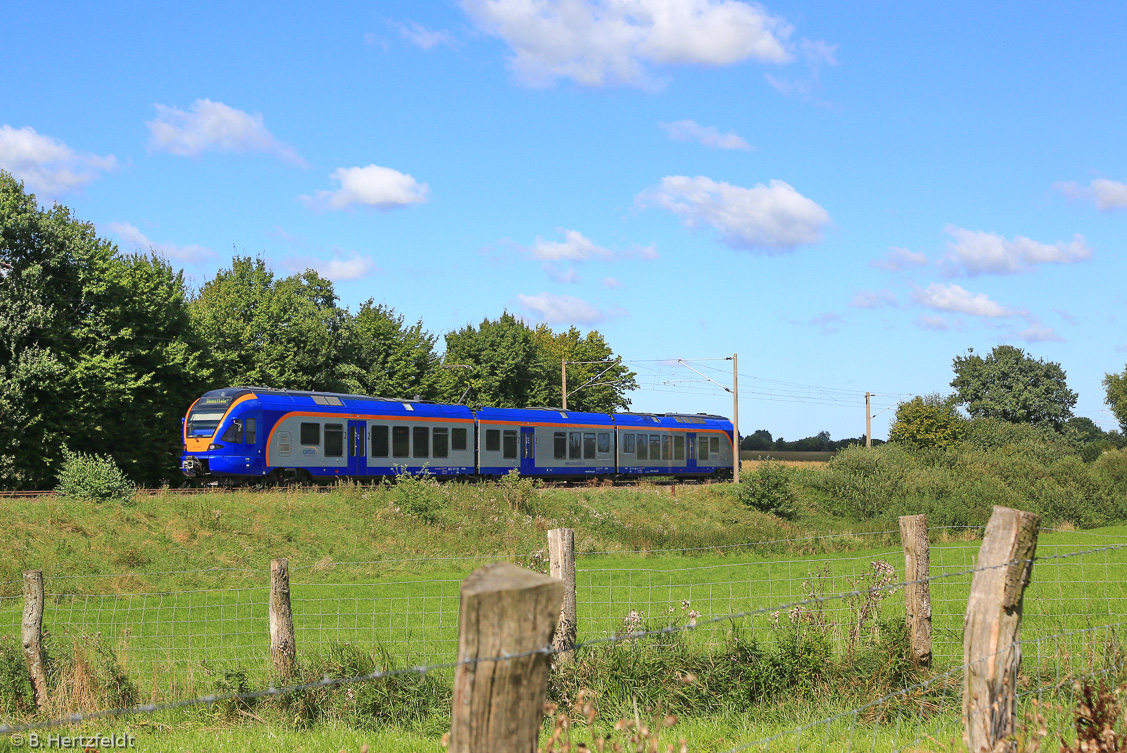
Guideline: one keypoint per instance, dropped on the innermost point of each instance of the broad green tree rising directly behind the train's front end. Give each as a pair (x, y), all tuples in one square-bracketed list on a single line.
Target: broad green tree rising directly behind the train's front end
[(263, 332)]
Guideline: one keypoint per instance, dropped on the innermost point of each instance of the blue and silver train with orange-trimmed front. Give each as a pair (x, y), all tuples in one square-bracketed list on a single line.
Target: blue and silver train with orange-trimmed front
[(252, 435)]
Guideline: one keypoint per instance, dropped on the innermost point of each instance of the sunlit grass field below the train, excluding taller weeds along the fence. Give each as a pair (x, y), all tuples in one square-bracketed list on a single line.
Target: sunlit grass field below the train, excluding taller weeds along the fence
[(180, 634)]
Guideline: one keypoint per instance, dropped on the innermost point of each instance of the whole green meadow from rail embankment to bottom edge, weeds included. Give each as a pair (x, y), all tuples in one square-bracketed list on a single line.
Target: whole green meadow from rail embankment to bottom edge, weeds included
[(776, 618)]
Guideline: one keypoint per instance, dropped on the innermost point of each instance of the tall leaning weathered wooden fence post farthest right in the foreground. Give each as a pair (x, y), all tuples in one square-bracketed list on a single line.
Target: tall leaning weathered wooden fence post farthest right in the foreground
[(991, 633)]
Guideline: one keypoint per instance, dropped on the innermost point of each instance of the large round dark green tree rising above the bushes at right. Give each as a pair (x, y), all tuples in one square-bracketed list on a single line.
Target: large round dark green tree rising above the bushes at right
[(1014, 387)]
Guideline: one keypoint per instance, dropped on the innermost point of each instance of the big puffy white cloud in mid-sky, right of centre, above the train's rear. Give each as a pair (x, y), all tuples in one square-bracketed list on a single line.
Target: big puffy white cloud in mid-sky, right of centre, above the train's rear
[(774, 218)]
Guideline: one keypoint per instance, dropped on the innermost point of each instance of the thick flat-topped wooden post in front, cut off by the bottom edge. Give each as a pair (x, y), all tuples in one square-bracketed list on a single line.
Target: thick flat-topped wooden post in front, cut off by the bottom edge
[(499, 705)]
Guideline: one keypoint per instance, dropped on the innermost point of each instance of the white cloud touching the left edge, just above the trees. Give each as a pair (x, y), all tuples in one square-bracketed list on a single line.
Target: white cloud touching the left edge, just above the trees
[(47, 165)]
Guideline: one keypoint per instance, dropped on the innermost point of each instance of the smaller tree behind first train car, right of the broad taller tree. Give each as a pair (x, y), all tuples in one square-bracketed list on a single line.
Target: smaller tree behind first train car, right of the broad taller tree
[(386, 358)]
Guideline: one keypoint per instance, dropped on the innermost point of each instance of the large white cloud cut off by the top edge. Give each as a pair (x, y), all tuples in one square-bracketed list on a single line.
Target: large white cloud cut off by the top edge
[(608, 42)]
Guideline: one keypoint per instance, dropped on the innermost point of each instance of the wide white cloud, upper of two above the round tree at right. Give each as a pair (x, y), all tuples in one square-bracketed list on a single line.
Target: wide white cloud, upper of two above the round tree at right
[(974, 253)]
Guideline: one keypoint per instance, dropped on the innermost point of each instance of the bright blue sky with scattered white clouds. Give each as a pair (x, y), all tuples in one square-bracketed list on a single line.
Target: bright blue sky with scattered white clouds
[(848, 196)]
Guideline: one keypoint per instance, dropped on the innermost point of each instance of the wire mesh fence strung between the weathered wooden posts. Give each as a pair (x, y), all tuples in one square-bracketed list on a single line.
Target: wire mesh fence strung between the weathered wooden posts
[(1075, 612)]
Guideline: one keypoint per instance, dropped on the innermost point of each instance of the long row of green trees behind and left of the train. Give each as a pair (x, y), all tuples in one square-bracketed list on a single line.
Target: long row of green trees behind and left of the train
[(103, 352)]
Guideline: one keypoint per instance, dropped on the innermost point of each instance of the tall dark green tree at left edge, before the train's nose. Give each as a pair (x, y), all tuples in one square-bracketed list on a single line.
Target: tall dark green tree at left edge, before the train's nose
[(95, 348)]
